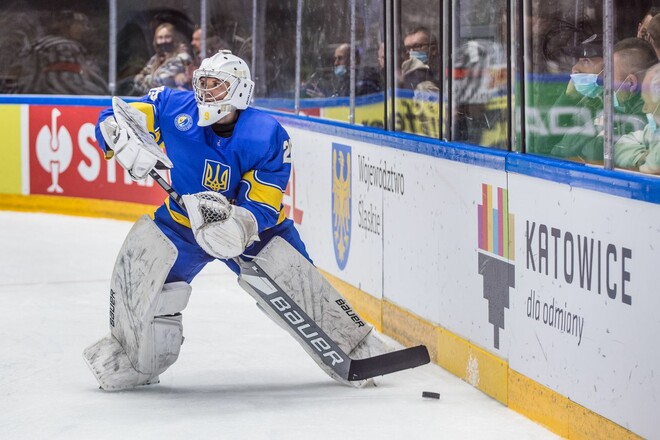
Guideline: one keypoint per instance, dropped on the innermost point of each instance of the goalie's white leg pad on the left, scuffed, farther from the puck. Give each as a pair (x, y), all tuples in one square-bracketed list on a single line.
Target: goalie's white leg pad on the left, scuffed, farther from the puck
[(146, 330)]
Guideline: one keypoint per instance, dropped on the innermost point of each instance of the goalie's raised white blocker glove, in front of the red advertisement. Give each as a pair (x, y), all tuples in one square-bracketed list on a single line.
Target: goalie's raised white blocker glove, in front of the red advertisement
[(129, 152)]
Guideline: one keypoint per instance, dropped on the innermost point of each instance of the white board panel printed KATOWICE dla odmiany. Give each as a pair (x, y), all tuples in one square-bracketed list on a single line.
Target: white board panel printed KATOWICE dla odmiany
[(584, 314)]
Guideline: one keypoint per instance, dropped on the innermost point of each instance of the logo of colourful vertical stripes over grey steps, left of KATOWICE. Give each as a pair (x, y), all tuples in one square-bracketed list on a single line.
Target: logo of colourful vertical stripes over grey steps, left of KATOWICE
[(496, 253)]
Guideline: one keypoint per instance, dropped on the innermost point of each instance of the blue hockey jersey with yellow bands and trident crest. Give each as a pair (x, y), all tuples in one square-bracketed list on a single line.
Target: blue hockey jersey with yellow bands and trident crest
[(251, 167)]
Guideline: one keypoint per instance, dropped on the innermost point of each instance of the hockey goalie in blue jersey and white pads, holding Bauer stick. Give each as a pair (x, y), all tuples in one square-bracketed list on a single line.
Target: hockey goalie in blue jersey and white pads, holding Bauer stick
[(231, 162)]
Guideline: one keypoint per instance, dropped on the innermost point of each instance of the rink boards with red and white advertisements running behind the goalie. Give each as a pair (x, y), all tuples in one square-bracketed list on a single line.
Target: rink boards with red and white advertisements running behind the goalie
[(529, 278)]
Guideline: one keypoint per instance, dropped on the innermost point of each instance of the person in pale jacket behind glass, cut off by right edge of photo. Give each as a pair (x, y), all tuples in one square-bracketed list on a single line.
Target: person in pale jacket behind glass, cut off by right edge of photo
[(640, 149)]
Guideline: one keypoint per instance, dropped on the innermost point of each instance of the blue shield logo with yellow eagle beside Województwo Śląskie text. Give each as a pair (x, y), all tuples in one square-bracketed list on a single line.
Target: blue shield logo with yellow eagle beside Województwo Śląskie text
[(341, 202)]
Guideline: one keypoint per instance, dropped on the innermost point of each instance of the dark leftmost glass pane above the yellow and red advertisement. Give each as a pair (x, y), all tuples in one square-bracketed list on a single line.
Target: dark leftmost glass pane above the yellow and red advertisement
[(46, 51)]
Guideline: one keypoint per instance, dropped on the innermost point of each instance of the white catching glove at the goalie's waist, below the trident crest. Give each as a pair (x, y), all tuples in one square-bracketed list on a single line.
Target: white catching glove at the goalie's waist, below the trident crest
[(223, 230)]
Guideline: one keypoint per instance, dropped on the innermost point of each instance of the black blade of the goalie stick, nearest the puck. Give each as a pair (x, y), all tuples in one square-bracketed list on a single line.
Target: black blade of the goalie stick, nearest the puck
[(388, 363)]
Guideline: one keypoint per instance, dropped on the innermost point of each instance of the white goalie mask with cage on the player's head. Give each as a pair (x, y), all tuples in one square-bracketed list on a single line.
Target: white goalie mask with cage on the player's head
[(222, 84)]
